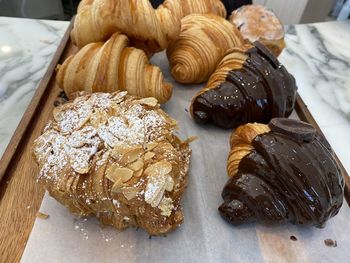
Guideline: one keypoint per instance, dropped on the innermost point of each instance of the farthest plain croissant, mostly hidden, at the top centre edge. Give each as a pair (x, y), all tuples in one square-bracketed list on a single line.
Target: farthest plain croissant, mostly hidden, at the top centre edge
[(182, 8)]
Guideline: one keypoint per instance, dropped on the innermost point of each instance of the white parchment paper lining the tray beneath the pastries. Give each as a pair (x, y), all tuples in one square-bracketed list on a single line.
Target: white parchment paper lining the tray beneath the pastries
[(204, 236)]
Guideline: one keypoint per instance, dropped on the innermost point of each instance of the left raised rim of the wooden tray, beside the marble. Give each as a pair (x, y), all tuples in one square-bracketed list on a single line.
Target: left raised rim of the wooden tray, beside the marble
[(28, 115)]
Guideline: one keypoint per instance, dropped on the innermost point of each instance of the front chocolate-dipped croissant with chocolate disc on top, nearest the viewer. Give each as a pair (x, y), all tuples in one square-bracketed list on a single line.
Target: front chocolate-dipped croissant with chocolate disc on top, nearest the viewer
[(281, 172)]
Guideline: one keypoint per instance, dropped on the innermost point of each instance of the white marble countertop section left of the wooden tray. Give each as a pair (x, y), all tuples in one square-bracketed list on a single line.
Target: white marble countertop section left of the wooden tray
[(26, 49)]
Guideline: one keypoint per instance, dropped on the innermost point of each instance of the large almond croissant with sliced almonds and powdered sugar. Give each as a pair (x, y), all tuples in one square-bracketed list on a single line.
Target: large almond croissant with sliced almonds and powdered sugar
[(115, 157)]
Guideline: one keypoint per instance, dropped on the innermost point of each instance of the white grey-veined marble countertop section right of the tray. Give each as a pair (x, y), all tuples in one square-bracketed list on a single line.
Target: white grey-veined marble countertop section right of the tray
[(318, 55)]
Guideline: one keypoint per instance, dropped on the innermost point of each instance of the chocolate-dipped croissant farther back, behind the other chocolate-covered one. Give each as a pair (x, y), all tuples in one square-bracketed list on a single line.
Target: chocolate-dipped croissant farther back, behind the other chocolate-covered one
[(249, 85)]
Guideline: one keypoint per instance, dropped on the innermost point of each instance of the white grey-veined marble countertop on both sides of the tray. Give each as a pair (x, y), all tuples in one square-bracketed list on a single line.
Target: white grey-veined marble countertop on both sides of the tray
[(317, 55)]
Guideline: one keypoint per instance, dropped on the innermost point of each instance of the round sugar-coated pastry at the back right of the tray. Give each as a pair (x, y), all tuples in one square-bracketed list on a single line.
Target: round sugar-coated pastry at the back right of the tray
[(257, 23)]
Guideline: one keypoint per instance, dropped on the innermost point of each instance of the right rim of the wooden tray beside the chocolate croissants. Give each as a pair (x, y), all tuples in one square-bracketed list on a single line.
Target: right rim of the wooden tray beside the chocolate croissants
[(305, 115)]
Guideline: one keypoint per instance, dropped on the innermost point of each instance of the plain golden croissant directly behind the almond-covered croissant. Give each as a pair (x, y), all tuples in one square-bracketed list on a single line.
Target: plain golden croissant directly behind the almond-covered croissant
[(111, 66)]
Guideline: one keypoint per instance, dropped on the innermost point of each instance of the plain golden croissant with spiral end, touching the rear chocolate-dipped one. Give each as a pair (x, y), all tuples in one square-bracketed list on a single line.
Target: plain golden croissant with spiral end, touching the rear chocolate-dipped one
[(202, 43)]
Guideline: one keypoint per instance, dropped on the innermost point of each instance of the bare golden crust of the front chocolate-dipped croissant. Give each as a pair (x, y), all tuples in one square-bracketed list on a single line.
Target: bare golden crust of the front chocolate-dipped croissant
[(240, 142)]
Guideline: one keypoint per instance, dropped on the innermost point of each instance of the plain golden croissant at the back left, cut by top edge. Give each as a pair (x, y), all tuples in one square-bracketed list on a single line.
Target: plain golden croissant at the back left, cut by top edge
[(145, 26)]
